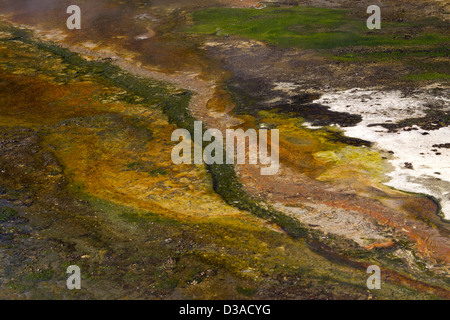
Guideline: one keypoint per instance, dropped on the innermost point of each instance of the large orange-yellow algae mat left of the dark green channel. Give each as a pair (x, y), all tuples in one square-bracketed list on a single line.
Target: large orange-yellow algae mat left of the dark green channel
[(115, 150)]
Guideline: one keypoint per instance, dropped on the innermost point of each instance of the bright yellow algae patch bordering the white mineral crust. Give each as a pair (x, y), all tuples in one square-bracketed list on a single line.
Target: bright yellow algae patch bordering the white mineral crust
[(313, 152)]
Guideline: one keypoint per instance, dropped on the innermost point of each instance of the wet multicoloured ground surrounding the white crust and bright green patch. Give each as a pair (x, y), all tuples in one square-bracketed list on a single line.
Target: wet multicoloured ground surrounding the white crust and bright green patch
[(87, 179)]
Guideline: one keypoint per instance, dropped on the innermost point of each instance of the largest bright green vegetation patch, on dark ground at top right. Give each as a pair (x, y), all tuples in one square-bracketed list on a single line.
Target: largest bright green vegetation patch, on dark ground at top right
[(307, 27)]
